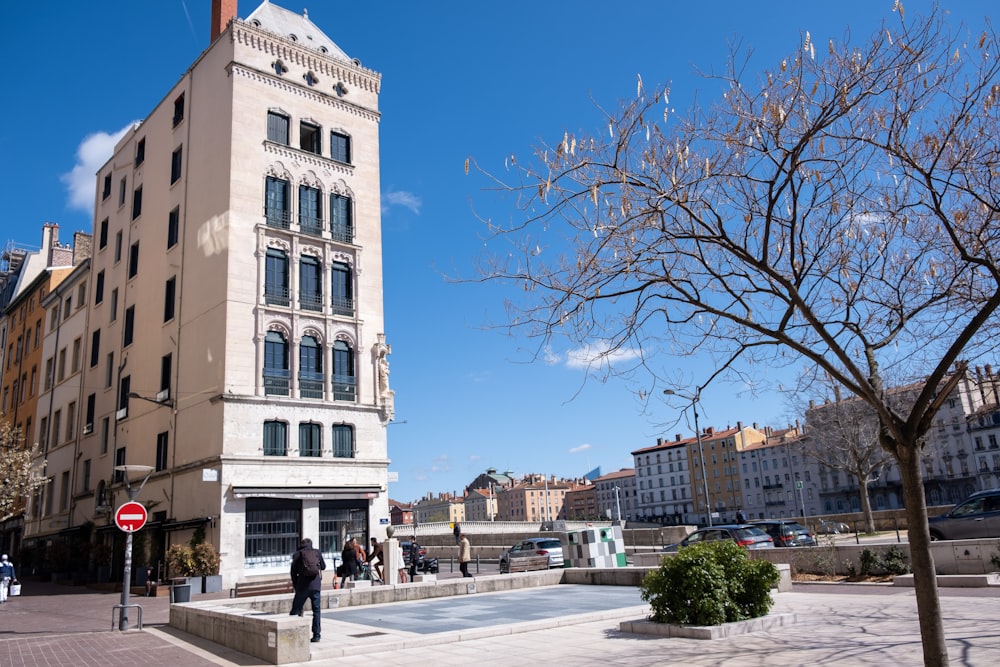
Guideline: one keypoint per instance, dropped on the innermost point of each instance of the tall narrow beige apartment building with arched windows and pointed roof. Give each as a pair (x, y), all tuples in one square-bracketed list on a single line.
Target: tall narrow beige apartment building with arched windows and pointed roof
[(236, 342)]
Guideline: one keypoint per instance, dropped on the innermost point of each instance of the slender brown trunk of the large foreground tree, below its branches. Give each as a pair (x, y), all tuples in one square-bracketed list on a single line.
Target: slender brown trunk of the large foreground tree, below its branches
[(924, 575)]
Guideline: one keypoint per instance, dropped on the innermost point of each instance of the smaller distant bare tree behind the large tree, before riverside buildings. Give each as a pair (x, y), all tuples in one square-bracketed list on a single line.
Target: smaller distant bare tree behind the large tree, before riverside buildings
[(844, 436)]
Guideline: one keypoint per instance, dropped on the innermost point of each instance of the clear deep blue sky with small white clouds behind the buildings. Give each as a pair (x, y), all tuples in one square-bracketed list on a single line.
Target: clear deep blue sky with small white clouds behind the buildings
[(459, 80)]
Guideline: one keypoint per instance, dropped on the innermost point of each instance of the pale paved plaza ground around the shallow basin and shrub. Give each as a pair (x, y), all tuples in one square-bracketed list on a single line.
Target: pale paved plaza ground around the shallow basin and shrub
[(55, 625)]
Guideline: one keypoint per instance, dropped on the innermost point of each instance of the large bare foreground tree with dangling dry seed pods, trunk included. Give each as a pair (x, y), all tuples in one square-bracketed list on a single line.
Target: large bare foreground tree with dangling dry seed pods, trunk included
[(837, 213)]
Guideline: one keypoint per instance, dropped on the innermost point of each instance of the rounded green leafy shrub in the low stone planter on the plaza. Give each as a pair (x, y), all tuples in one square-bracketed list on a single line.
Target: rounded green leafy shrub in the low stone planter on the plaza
[(710, 584)]
